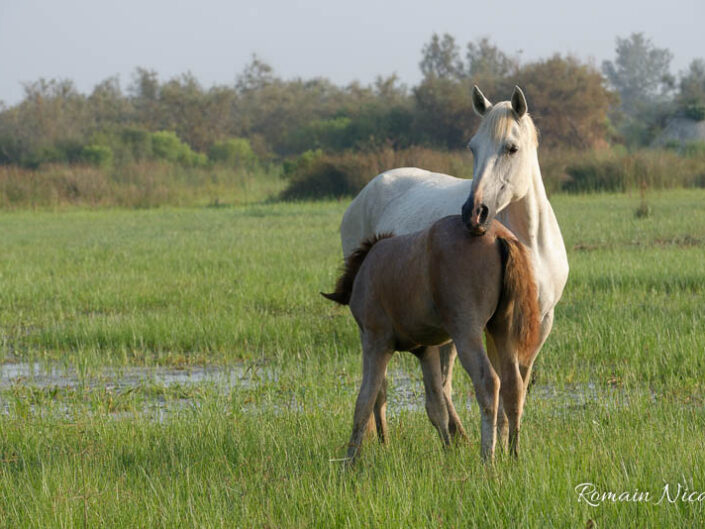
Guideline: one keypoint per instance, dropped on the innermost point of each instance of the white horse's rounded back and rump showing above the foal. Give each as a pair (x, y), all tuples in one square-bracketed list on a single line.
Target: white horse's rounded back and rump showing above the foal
[(401, 201)]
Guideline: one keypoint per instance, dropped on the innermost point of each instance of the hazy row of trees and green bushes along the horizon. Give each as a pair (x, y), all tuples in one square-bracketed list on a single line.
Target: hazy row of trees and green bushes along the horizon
[(262, 117)]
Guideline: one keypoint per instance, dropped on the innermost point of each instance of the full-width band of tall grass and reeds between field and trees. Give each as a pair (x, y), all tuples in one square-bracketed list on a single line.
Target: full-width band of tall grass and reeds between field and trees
[(150, 184)]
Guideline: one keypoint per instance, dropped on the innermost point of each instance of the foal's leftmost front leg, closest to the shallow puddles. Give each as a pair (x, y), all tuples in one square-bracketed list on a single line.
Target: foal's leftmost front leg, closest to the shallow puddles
[(376, 356)]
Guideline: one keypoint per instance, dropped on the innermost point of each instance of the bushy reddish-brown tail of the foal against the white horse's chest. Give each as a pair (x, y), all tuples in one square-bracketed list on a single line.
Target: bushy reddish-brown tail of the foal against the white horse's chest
[(519, 299)]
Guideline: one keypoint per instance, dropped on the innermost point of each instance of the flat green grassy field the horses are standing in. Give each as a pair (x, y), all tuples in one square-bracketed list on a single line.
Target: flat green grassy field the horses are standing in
[(618, 400)]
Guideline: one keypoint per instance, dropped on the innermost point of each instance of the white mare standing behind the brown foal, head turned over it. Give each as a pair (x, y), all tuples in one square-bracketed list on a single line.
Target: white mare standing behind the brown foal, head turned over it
[(507, 184)]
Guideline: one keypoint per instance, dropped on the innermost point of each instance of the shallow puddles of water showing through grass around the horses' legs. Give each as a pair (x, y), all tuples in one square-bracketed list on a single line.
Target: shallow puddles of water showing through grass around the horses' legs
[(154, 383)]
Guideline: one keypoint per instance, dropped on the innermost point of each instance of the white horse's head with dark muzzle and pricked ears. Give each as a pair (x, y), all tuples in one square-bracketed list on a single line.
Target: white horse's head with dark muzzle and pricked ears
[(504, 148)]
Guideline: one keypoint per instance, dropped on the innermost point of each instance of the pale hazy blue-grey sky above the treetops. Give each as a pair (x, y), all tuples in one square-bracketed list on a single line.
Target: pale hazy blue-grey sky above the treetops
[(90, 40)]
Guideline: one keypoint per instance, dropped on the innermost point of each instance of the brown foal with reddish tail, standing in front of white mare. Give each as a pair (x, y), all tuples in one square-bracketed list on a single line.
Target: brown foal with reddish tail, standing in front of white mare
[(419, 291)]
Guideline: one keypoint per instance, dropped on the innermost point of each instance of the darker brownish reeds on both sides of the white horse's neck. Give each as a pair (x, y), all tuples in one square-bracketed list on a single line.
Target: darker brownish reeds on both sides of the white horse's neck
[(562, 170)]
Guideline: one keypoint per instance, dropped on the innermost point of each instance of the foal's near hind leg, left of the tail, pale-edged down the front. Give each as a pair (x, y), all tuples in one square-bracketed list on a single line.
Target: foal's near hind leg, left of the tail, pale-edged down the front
[(486, 383)]
